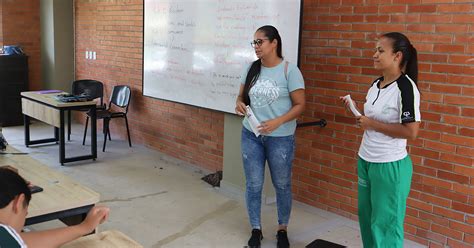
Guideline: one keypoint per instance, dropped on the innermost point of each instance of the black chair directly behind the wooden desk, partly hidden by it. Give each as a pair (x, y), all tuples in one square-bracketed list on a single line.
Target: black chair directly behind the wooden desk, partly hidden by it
[(93, 89)]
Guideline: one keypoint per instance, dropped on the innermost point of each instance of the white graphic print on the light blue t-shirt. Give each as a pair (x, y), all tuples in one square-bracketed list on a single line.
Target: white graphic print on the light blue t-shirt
[(264, 92)]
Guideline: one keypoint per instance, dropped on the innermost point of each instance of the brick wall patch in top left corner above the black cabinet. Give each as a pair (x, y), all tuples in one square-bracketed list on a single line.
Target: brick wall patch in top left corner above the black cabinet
[(21, 26)]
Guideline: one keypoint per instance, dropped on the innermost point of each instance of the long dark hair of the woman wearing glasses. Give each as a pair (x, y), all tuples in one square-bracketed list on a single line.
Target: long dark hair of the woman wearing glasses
[(254, 72)]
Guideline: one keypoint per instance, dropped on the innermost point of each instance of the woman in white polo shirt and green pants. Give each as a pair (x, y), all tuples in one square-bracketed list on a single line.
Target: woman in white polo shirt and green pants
[(391, 116)]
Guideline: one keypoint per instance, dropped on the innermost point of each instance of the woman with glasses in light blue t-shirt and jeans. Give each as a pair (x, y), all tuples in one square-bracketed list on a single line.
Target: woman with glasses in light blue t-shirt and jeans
[(274, 90)]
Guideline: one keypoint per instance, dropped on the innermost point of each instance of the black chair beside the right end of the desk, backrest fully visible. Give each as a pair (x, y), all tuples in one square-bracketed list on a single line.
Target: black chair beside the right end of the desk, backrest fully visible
[(120, 98)]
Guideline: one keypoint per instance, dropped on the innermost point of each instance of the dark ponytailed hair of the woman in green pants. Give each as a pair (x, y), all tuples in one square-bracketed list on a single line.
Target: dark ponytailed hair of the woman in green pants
[(409, 63)]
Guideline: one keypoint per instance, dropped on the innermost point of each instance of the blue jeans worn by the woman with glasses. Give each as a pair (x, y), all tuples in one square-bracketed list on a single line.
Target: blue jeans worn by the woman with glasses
[(279, 153)]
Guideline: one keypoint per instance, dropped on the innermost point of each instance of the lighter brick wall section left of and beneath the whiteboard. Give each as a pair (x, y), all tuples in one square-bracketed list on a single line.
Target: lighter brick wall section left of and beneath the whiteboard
[(114, 29)]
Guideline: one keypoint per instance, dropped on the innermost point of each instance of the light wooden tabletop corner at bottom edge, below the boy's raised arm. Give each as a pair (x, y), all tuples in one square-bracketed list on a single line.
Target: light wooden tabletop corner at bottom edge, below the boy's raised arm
[(106, 239)]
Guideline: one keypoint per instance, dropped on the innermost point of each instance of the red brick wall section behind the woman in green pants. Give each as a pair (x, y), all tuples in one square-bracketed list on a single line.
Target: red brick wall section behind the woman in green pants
[(337, 47)]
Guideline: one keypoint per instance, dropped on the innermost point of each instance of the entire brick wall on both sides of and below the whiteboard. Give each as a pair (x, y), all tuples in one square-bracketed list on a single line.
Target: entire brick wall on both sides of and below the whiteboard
[(337, 45)]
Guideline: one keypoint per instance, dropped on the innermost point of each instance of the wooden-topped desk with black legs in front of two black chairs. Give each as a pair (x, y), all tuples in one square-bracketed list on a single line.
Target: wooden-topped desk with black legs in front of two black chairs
[(47, 109)]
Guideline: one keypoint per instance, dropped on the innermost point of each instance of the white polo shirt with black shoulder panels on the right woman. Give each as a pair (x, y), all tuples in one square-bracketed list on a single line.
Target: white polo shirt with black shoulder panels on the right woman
[(397, 102)]
